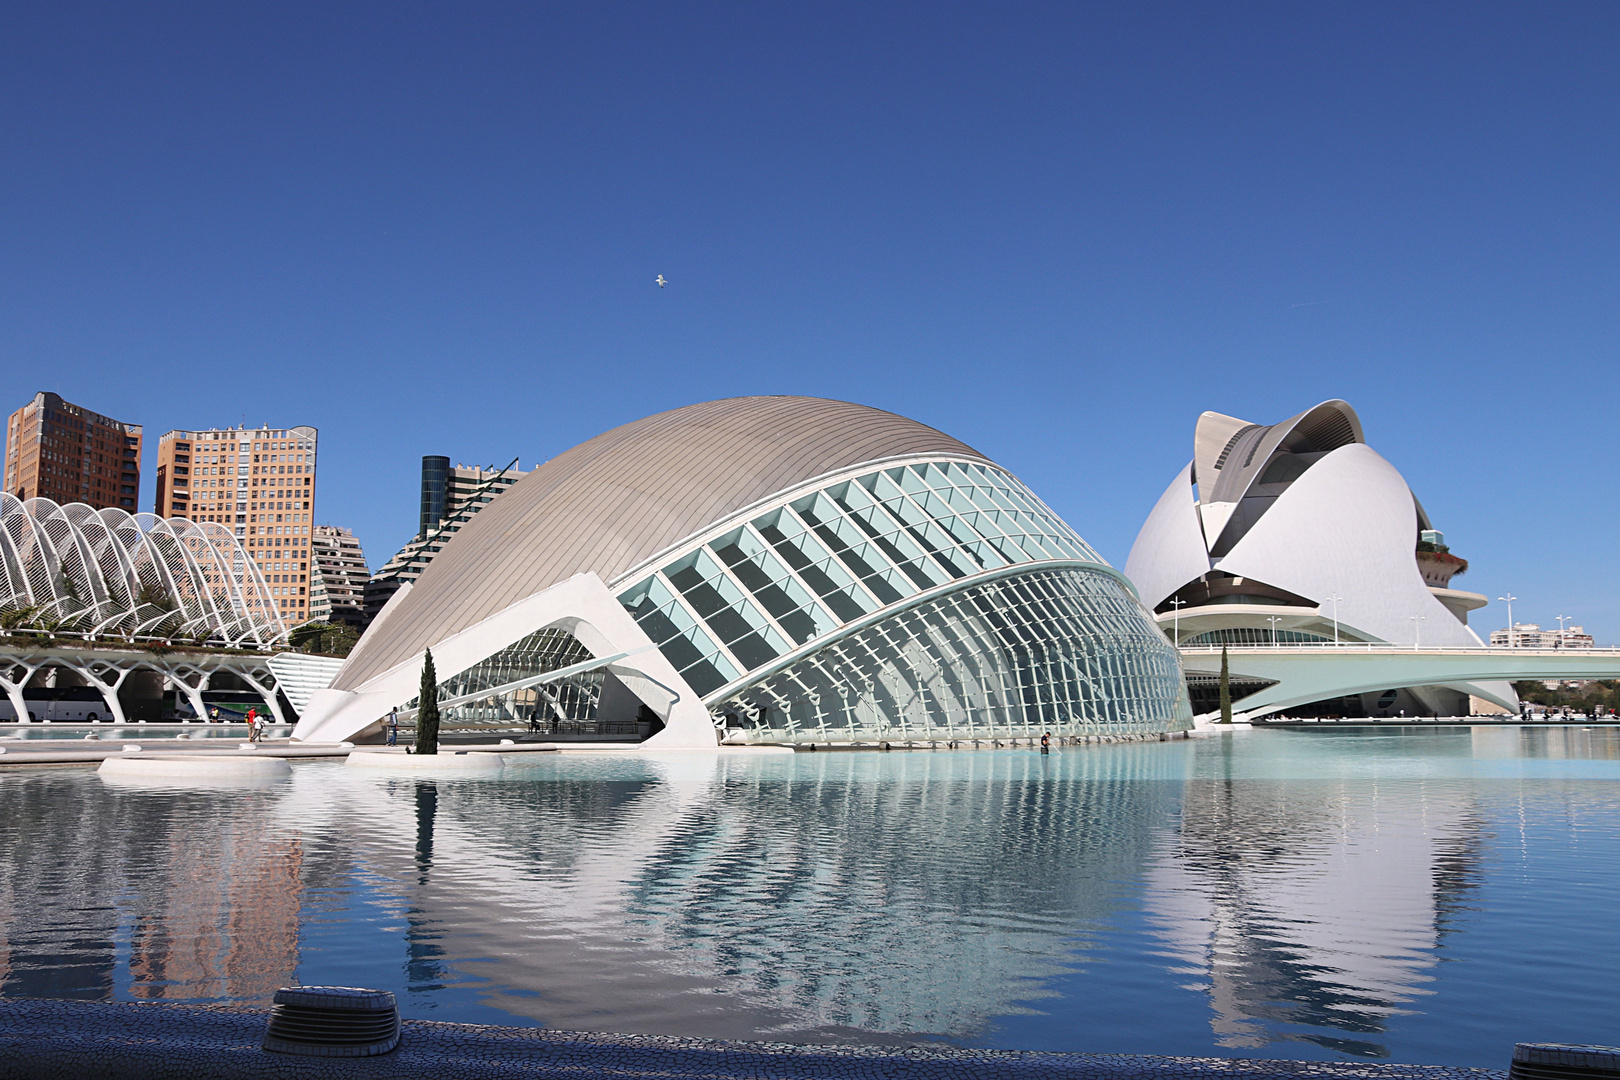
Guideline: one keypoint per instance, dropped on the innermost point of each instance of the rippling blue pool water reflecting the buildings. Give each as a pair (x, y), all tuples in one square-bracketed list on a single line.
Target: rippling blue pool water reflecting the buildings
[(1420, 896)]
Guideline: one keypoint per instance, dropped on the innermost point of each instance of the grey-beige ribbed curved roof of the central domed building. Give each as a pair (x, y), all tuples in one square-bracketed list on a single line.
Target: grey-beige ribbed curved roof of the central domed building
[(610, 504)]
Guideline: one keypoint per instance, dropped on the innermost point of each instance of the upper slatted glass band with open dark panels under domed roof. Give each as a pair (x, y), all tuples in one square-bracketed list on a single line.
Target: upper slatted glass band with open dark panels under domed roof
[(835, 556)]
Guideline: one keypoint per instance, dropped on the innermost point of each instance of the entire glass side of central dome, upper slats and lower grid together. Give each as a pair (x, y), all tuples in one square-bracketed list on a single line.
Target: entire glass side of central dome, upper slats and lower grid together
[(1057, 648)]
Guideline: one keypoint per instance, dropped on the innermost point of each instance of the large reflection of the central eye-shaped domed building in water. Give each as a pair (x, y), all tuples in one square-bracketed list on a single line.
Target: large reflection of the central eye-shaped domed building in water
[(817, 896)]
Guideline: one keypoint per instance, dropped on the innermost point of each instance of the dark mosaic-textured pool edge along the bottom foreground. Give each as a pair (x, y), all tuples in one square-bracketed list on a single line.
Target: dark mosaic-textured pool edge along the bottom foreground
[(117, 1042)]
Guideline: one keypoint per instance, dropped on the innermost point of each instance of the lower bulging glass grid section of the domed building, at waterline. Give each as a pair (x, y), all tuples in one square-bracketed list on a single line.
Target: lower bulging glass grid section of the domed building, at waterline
[(1065, 652)]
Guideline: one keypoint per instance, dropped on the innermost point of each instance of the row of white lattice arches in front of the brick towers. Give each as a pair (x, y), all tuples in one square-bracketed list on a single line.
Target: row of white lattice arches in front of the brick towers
[(111, 574)]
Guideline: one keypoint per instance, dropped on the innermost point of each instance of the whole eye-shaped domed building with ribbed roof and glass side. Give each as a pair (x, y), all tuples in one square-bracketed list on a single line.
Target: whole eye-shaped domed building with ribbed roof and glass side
[(774, 571)]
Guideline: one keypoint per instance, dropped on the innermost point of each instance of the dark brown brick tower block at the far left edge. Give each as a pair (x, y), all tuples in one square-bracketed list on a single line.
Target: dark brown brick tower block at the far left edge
[(69, 454)]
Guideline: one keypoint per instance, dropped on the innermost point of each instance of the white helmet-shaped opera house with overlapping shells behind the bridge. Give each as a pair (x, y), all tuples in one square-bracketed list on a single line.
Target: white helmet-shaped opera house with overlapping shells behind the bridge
[(1300, 534)]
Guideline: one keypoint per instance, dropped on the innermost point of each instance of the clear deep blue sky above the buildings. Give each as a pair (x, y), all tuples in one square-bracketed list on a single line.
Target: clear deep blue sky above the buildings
[(1057, 232)]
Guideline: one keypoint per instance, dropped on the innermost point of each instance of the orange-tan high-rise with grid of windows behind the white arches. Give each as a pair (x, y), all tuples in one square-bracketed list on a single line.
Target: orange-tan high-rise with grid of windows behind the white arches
[(258, 483)]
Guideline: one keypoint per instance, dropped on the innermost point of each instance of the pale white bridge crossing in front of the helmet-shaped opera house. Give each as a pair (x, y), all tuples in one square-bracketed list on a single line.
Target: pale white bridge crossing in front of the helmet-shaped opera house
[(1316, 671)]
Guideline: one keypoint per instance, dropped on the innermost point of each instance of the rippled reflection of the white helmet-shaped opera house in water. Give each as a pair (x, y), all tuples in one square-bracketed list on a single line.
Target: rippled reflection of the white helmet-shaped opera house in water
[(1313, 909)]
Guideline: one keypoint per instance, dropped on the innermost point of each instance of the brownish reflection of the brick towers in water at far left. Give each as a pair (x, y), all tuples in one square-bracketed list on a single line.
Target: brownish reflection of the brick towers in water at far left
[(164, 895)]
